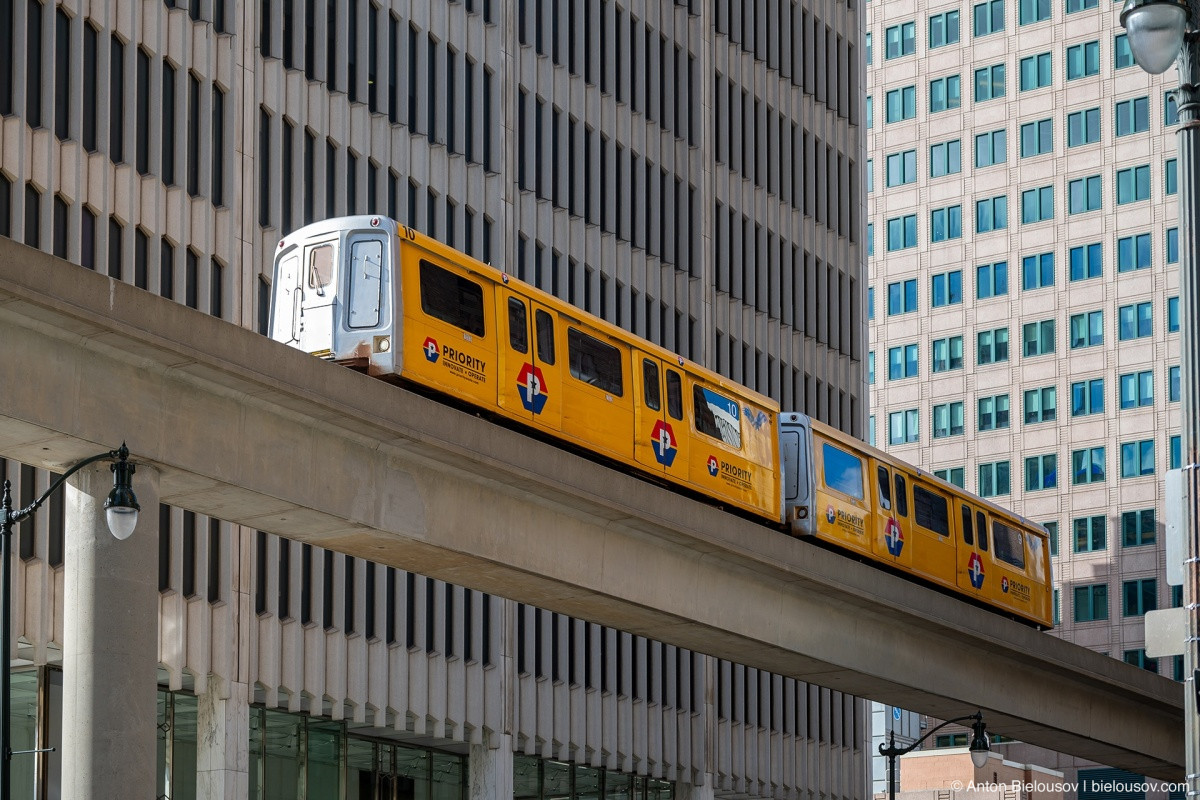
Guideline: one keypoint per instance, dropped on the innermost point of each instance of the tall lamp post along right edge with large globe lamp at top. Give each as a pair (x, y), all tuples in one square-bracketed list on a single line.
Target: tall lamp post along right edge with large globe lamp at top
[(1163, 33)]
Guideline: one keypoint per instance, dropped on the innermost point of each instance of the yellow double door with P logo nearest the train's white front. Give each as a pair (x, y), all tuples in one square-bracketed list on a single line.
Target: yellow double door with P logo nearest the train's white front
[(530, 388)]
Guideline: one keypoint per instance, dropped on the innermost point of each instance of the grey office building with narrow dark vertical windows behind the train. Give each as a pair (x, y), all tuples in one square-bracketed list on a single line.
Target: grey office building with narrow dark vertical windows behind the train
[(689, 171)]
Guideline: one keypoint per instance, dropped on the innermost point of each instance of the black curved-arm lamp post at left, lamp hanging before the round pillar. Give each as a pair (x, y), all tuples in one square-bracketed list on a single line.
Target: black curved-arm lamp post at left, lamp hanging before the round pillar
[(122, 510)]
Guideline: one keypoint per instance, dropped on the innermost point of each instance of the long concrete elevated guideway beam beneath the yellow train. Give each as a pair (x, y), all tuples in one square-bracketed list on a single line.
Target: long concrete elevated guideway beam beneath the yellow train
[(253, 432)]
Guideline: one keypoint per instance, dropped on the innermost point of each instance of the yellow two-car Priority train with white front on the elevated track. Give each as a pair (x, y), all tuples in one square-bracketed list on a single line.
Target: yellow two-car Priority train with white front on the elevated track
[(380, 297)]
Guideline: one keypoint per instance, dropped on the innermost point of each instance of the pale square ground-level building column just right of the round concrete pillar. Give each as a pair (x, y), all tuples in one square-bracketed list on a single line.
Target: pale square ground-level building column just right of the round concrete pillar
[(223, 743)]
